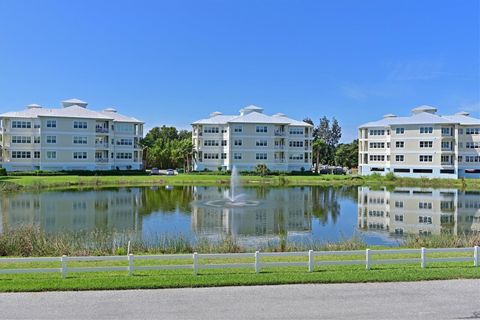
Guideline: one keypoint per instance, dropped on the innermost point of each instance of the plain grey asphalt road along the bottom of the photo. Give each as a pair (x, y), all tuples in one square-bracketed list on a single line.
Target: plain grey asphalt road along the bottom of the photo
[(455, 299)]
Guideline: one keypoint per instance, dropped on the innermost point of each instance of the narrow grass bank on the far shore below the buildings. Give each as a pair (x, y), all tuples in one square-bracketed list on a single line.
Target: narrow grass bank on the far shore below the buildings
[(17, 183)]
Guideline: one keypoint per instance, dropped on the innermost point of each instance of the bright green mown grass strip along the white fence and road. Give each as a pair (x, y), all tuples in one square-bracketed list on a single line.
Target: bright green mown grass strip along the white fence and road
[(230, 277)]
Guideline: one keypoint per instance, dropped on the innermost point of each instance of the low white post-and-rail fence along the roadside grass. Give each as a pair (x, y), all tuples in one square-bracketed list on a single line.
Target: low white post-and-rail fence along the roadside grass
[(368, 258)]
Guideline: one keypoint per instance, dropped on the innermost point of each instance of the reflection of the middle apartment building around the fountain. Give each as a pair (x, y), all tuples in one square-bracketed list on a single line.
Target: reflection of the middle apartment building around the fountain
[(279, 212)]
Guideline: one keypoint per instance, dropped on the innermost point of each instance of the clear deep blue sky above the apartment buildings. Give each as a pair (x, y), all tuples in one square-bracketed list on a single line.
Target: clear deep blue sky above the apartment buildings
[(173, 62)]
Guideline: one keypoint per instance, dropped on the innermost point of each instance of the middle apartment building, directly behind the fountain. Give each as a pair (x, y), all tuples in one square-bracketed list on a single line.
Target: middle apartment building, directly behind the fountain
[(252, 138)]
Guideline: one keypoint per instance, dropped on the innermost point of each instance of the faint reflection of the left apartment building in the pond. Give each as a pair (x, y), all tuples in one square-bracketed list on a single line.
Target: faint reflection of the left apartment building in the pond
[(116, 210)]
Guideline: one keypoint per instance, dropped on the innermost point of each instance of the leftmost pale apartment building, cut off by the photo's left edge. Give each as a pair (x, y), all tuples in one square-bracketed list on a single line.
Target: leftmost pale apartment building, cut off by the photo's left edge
[(69, 138)]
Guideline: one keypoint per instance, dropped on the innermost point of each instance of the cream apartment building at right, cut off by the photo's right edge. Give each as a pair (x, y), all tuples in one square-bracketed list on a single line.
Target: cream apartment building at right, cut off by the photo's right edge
[(421, 145)]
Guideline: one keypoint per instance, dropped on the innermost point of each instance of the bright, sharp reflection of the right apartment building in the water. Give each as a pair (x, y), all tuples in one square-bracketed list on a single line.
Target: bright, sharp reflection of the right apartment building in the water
[(418, 211)]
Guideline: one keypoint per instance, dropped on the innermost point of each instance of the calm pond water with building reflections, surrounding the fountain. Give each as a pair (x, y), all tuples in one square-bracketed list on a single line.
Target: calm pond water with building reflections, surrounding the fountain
[(380, 216)]
